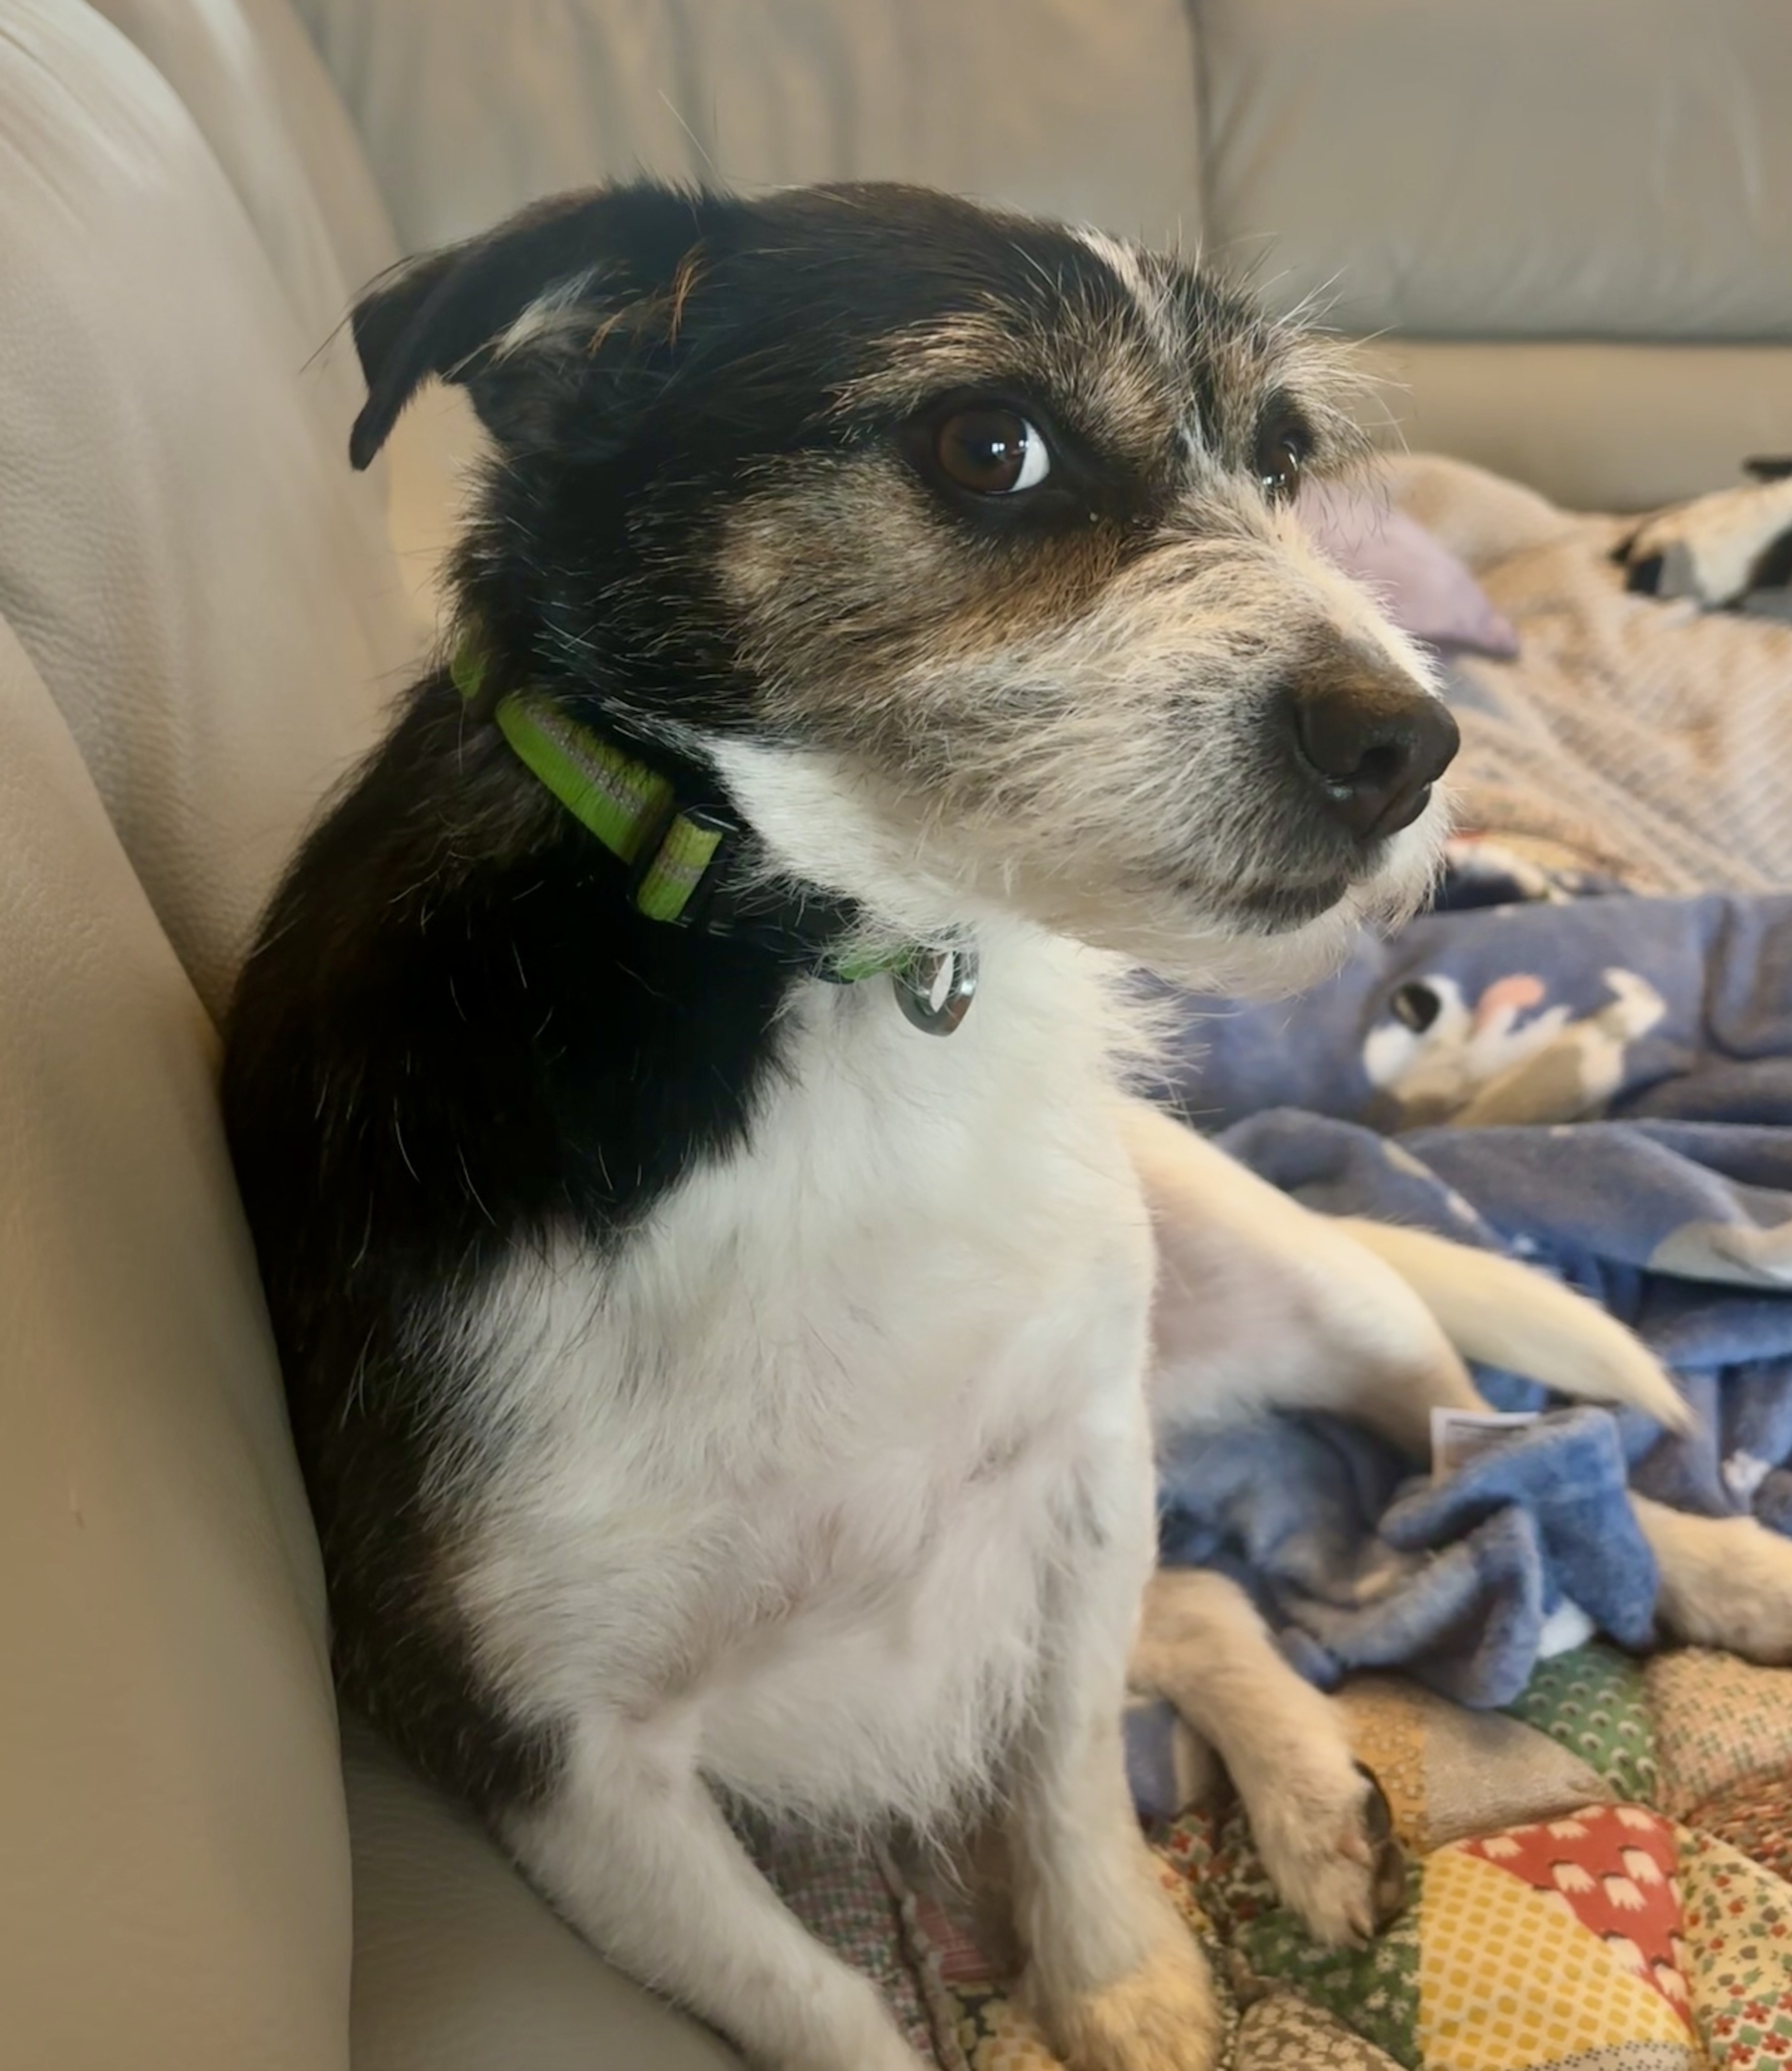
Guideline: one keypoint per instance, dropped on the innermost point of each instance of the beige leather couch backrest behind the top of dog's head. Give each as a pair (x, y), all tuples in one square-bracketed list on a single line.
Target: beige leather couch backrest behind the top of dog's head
[(1571, 216)]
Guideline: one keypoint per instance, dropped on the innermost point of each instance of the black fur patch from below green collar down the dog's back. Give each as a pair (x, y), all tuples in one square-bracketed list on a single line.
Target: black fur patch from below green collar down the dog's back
[(455, 1039)]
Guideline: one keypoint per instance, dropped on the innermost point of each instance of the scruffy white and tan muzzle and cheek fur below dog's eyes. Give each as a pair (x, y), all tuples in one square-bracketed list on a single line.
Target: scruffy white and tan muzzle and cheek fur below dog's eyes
[(1087, 738)]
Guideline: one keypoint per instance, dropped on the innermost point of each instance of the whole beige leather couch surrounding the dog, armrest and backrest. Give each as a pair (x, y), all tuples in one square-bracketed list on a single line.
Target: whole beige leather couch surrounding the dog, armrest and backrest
[(1580, 204)]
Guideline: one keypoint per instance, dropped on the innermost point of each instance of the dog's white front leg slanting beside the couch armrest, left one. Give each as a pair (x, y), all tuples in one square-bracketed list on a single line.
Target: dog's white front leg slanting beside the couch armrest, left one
[(633, 1850)]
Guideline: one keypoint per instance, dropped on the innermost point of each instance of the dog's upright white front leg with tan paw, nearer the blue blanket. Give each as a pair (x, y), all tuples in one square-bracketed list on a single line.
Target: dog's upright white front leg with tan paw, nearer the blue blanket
[(1111, 1971)]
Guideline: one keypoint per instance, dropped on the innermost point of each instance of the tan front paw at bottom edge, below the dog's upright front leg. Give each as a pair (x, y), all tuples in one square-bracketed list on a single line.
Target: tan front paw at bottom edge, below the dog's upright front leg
[(1159, 2018)]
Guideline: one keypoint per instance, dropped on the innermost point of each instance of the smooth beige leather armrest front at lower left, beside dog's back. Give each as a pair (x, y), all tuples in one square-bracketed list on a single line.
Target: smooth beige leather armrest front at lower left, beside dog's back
[(175, 1863)]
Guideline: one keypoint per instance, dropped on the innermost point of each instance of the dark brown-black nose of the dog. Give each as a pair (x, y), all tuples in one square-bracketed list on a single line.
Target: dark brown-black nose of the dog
[(1377, 749)]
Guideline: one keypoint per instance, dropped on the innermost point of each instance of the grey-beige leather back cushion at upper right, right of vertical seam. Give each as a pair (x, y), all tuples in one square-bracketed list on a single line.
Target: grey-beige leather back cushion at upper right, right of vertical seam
[(1538, 169)]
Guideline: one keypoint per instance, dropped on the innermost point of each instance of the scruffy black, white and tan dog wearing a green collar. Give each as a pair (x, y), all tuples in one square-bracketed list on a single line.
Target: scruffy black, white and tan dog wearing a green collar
[(683, 1095)]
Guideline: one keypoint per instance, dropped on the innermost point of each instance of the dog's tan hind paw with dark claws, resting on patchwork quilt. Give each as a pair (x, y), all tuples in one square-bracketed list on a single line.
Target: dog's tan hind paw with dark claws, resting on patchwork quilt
[(1329, 1846)]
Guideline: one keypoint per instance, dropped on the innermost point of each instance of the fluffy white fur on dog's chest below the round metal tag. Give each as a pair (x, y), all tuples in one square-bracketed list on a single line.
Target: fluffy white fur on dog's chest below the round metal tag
[(790, 1474)]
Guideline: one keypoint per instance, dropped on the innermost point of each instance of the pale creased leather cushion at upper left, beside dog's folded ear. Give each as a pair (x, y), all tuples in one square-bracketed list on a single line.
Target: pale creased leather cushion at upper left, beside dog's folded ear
[(202, 583)]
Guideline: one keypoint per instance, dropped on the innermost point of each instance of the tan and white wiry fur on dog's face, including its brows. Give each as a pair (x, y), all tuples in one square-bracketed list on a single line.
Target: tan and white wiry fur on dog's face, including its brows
[(1078, 722)]
